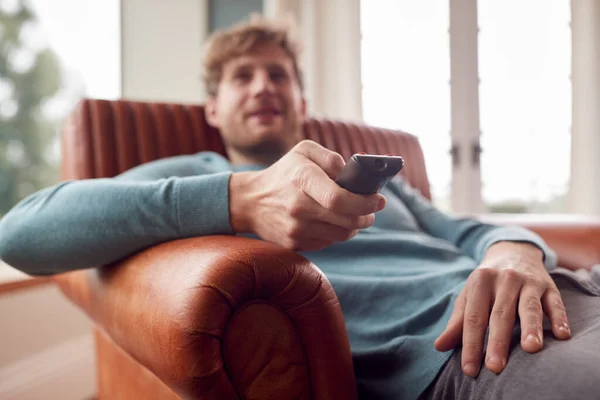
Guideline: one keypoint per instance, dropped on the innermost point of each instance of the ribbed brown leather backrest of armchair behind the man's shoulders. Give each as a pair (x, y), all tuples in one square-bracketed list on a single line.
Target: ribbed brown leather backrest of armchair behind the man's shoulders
[(103, 138)]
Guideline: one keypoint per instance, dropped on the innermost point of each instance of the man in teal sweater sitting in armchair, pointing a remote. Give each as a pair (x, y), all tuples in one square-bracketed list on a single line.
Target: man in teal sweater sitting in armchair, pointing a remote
[(413, 283)]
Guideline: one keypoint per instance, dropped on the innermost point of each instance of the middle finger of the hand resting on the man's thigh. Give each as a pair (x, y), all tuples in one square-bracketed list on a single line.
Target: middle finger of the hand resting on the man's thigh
[(502, 320)]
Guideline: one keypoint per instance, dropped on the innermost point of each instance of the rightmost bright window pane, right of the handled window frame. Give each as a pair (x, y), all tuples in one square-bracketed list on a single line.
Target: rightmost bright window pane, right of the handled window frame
[(525, 103)]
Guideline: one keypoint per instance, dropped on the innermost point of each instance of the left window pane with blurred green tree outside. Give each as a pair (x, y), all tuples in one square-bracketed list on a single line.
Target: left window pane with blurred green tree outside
[(52, 53)]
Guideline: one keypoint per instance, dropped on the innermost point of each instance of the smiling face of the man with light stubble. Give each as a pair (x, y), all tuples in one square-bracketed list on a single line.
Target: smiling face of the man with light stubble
[(259, 107)]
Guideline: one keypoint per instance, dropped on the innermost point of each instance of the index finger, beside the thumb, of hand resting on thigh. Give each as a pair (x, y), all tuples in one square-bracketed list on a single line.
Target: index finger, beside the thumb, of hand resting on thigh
[(477, 310)]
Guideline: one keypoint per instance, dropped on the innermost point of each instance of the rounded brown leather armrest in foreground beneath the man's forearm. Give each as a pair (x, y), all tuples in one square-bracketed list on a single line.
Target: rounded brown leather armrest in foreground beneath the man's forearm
[(218, 317)]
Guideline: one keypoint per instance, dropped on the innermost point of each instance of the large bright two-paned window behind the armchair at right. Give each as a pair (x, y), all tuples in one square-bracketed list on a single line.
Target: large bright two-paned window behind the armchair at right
[(524, 58)]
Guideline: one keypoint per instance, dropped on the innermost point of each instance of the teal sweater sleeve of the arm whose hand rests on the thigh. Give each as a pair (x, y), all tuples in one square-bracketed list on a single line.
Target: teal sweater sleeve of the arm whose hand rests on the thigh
[(473, 237)]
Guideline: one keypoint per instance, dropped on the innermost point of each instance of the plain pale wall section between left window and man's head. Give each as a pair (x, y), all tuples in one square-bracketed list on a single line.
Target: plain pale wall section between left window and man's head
[(162, 50)]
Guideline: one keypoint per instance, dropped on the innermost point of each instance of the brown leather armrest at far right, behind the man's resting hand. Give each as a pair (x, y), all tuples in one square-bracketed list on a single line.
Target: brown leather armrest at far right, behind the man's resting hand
[(574, 238)]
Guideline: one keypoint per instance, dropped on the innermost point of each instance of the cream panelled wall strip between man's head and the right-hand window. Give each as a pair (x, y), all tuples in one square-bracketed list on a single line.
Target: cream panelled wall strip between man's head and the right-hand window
[(331, 59)]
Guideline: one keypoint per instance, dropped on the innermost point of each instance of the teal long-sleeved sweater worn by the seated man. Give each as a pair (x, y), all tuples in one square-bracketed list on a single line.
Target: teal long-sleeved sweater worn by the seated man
[(396, 281)]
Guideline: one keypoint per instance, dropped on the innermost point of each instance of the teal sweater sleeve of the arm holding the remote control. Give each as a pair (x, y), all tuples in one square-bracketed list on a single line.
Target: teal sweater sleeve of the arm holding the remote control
[(89, 223)]
